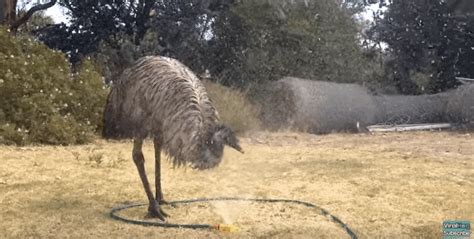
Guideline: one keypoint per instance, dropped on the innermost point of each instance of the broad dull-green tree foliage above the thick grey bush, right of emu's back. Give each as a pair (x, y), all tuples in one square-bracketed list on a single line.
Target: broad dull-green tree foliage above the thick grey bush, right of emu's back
[(267, 40)]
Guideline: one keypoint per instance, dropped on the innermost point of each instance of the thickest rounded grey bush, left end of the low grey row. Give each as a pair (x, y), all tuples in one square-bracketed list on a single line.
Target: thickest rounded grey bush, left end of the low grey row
[(317, 106)]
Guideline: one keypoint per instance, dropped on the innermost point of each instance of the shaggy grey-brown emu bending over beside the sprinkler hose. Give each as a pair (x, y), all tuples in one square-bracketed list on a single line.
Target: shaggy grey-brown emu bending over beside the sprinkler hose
[(160, 98)]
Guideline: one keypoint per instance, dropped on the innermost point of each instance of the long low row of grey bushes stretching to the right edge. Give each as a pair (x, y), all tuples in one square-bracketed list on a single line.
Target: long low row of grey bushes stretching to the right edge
[(323, 107)]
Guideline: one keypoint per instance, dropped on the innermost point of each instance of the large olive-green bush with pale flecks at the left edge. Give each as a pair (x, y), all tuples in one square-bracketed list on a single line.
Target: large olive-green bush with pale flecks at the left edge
[(42, 101)]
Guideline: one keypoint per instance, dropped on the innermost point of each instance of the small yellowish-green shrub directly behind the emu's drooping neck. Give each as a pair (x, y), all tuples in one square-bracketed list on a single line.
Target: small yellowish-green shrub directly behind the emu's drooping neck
[(234, 108)]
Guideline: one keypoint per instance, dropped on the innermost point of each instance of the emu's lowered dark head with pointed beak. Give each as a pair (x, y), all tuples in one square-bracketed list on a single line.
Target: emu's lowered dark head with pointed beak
[(216, 139)]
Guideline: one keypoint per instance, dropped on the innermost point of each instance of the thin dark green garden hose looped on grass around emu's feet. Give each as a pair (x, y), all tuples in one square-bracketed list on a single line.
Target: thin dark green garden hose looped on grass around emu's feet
[(114, 211)]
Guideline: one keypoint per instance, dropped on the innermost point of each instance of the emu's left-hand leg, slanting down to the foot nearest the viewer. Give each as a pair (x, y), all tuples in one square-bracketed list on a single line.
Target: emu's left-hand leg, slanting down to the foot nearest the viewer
[(154, 210)]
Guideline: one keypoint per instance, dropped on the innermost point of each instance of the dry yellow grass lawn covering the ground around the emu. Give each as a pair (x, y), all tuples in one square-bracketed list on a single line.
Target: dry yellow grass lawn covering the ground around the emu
[(387, 185)]
